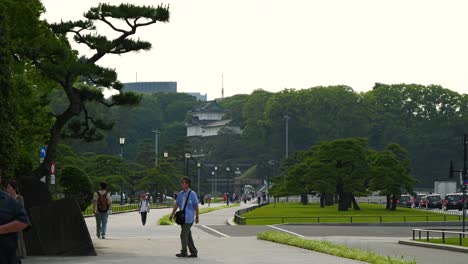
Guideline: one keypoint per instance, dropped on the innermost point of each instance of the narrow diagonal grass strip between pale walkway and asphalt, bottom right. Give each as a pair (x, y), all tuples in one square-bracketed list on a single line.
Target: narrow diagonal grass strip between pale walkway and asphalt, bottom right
[(331, 249)]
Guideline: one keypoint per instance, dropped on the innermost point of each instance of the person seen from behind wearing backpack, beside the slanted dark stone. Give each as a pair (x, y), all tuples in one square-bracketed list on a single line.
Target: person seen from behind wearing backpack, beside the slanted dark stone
[(102, 202)]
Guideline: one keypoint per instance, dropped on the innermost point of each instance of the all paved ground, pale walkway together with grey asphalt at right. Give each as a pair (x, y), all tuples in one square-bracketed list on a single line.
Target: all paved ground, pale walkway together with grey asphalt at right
[(128, 241)]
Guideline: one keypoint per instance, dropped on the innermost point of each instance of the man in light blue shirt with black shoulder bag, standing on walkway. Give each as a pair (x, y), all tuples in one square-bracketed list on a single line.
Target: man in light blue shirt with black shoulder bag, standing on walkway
[(187, 201)]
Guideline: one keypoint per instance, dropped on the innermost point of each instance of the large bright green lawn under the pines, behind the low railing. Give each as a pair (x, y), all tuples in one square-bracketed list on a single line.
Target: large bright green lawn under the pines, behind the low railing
[(312, 213)]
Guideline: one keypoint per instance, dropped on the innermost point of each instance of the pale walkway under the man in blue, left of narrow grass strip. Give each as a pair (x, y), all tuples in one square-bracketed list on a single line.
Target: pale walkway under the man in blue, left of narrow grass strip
[(130, 242)]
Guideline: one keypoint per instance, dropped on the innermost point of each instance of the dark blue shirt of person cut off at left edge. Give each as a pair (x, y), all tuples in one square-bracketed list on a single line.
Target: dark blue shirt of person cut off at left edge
[(10, 210)]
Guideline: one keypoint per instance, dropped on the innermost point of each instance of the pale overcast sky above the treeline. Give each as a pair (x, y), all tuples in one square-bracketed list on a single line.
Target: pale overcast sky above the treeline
[(277, 44)]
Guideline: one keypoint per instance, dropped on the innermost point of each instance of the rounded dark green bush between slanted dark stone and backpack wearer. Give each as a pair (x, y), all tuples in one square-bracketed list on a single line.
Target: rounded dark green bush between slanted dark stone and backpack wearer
[(76, 184)]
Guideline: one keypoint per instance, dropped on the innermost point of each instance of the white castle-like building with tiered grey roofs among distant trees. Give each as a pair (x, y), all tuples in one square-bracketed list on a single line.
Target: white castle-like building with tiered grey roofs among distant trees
[(207, 120)]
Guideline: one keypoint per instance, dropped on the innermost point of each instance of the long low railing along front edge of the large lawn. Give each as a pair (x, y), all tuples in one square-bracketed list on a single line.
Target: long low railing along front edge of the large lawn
[(344, 219)]
